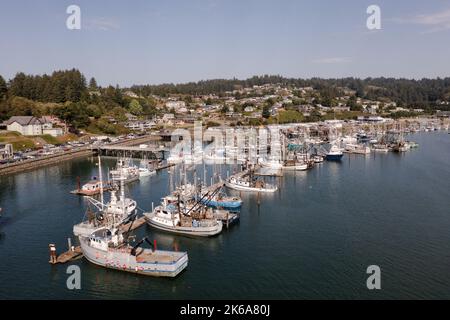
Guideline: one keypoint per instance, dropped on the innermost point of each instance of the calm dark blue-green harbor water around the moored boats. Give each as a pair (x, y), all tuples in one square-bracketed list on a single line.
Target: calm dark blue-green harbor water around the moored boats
[(312, 239)]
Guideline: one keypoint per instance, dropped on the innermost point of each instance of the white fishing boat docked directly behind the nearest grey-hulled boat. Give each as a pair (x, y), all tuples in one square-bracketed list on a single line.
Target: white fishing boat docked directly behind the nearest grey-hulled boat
[(176, 217)]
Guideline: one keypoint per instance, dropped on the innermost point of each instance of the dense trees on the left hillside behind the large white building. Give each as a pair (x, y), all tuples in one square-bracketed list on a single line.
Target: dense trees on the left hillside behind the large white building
[(66, 95)]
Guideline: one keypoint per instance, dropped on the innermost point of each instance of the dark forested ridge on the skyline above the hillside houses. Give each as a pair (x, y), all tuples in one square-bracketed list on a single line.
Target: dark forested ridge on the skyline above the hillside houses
[(406, 92)]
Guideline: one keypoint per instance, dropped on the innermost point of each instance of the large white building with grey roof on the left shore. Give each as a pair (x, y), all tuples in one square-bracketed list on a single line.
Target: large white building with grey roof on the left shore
[(32, 126)]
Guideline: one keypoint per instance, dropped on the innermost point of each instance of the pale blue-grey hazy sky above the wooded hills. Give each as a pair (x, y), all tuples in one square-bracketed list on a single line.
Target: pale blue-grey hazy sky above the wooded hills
[(170, 41)]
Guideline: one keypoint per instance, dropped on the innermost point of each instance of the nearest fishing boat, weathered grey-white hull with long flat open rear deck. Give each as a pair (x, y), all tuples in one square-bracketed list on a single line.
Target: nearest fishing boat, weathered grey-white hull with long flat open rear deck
[(109, 248)]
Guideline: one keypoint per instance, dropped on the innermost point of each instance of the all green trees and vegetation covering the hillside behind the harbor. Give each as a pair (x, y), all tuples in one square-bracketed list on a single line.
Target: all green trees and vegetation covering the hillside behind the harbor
[(90, 107)]
